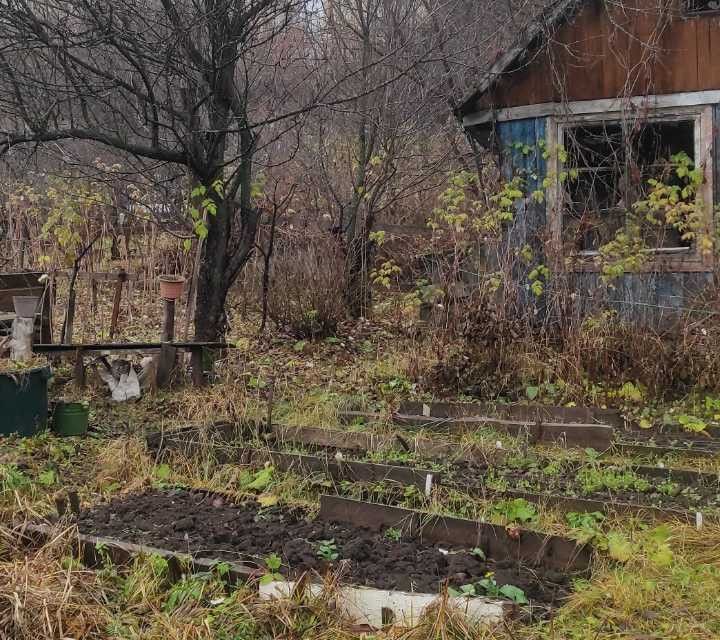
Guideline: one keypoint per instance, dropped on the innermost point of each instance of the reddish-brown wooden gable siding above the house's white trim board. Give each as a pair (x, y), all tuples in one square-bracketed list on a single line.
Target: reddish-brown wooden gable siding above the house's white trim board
[(612, 50)]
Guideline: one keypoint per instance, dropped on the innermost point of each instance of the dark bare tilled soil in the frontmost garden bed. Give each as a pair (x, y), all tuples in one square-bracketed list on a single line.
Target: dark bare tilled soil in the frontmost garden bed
[(208, 525)]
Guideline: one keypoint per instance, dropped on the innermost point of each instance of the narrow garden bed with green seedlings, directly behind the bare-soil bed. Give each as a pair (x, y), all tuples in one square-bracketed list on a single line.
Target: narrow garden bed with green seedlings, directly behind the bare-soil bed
[(567, 485)]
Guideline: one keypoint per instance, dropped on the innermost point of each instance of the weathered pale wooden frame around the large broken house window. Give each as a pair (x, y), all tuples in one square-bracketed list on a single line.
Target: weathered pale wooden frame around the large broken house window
[(689, 259)]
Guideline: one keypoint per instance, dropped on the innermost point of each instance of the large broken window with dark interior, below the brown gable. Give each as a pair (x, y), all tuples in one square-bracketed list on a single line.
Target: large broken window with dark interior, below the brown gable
[(604, 167)]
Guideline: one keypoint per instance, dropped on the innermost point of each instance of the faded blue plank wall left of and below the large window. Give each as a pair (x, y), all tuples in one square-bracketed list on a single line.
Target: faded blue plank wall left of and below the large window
[(644, 298)]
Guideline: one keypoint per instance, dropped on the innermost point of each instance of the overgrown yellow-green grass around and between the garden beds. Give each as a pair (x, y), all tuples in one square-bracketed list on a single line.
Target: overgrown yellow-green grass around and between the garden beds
[(51, 596)]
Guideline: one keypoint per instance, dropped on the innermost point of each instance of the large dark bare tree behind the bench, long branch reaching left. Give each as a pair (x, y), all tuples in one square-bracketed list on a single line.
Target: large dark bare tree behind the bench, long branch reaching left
[(165, 82)]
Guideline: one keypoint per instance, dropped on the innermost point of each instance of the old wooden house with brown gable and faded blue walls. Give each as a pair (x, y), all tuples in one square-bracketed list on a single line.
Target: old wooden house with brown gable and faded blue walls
[(589, 105)]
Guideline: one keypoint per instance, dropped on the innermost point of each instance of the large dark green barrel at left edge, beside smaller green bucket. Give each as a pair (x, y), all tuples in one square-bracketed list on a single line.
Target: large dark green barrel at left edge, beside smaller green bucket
[(23, 401)]
